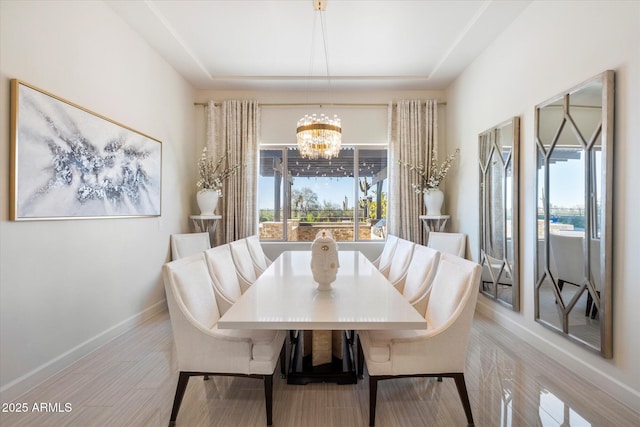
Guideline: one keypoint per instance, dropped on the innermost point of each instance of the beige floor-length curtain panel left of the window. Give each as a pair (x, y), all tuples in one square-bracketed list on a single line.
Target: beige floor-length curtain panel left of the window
[(232, 127)]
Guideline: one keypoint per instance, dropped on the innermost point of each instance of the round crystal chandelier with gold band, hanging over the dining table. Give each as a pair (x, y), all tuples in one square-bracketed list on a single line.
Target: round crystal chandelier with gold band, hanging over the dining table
[(319, 136)]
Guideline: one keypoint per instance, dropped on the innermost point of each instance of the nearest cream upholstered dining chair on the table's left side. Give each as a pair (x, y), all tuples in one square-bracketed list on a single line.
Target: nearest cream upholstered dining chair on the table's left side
[(202, 348)]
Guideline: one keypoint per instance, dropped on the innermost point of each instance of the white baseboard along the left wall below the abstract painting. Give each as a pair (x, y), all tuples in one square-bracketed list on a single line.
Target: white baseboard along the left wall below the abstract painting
[(23, 384)]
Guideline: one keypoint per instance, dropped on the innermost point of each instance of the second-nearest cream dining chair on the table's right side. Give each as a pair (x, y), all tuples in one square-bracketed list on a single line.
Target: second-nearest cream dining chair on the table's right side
[(416, 284)]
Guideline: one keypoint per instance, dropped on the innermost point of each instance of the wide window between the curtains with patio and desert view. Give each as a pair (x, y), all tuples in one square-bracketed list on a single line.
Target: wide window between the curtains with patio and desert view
[(346, 195)]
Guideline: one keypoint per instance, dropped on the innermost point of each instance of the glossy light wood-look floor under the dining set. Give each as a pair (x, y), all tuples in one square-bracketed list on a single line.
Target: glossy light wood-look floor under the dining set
[(131, 382)]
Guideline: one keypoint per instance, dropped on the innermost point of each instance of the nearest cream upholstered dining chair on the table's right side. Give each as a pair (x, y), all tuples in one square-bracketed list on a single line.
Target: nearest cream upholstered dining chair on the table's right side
[(438, 351)]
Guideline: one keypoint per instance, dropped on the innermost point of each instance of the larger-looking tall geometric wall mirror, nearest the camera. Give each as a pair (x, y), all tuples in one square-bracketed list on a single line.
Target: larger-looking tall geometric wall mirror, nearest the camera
[(574, 141)]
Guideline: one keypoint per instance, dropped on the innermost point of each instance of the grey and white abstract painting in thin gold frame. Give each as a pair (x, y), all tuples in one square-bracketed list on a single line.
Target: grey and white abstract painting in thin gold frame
[(68, 162)]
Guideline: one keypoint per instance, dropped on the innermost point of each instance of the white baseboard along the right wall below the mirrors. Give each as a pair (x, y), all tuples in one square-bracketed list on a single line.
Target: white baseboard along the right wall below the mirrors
[(612, 386)]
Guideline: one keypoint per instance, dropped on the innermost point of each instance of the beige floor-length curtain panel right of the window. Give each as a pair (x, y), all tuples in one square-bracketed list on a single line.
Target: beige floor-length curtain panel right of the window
[(413, 136)]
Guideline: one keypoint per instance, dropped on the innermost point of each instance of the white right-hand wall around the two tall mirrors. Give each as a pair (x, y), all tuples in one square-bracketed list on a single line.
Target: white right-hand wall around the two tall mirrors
[(551, 47)]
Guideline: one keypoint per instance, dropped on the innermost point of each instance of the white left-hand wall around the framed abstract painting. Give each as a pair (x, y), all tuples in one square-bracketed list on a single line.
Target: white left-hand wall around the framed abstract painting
[(68, 286)]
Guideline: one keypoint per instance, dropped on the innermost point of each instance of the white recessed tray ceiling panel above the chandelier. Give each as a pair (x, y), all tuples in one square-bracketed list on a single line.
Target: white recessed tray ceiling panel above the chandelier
[(278, 44)]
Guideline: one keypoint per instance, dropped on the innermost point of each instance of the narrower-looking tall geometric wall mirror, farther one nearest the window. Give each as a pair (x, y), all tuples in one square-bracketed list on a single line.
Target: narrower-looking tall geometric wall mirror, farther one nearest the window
[(498, 161)]
